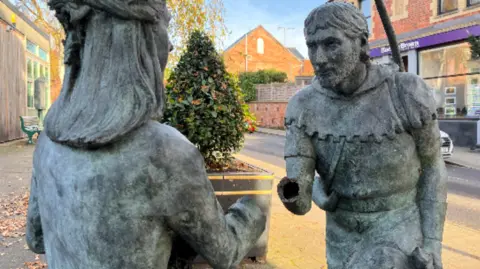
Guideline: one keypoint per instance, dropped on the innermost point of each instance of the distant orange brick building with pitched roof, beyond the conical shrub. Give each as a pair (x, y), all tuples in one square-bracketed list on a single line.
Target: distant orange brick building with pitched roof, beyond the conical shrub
[(258, 49)]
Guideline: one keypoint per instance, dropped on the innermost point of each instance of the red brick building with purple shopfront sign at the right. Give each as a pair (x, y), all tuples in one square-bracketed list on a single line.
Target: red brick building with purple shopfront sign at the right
[(432, 37)]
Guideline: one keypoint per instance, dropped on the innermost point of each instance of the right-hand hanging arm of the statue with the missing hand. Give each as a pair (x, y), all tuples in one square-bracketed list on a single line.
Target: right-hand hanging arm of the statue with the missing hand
[(420, 110)]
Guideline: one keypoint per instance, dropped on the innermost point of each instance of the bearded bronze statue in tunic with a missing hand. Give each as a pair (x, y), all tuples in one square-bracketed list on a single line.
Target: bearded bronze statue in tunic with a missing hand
[(371, 134)]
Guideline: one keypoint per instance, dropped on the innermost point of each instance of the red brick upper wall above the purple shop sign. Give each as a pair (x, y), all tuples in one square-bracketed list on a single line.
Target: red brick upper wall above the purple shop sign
[(421, 14)]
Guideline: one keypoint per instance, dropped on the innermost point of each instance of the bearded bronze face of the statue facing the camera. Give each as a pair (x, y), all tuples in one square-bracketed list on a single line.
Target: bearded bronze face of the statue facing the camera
[(334, 56)]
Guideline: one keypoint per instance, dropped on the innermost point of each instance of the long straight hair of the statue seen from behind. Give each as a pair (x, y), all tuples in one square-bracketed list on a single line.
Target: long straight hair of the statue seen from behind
[(113, 81)]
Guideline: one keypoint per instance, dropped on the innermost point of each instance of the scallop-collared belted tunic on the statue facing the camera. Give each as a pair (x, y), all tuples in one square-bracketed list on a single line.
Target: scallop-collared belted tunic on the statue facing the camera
[(377, 169)]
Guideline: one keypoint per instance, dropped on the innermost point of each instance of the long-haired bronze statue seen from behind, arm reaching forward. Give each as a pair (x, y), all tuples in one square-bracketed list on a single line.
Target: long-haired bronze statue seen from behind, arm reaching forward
[(110, 187)]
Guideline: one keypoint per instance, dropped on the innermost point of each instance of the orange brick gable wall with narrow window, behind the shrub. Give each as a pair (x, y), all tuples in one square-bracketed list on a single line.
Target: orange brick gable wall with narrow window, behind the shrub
[(275, 55)]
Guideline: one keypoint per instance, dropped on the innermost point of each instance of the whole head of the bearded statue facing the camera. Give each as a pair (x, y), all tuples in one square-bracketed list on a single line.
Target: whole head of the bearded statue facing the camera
[(337, 39)]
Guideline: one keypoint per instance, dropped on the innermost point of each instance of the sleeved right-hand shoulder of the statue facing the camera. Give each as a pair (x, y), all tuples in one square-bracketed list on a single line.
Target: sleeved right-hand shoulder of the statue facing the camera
[(417, 99)]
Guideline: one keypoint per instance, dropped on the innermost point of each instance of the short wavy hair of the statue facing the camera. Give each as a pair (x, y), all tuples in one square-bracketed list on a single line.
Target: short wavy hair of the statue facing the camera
[(342, 16)]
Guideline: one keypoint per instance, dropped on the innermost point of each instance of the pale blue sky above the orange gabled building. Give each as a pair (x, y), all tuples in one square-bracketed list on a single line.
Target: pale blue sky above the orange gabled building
[(242, 16)]
